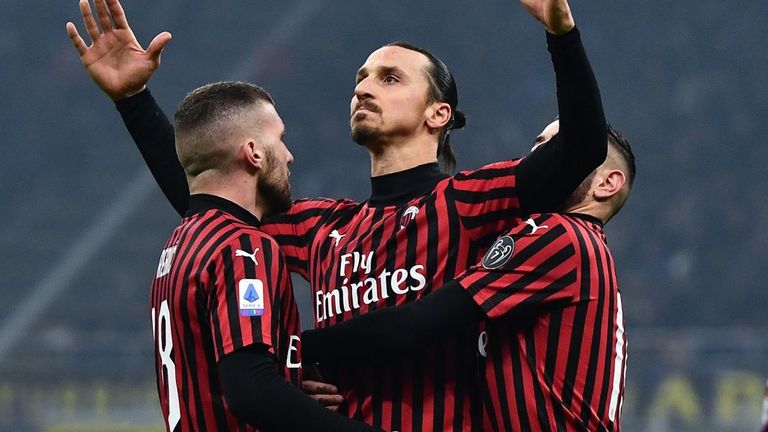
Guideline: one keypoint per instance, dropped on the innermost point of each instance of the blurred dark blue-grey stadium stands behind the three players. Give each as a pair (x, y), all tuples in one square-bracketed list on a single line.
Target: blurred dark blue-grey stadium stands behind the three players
[(82, 223)]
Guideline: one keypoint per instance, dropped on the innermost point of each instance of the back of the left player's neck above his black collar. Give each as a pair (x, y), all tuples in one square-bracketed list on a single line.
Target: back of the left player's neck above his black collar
[(240, 190)]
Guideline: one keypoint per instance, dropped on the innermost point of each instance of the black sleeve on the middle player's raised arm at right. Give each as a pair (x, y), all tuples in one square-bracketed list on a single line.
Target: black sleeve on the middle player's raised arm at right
[(547, 176)]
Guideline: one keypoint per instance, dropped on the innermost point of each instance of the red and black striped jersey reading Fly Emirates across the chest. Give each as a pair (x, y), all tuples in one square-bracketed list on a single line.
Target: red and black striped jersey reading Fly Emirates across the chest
[(364, 256)]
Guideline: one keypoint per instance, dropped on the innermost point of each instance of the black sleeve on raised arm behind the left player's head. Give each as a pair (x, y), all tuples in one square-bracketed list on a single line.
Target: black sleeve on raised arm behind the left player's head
[(153, 135)]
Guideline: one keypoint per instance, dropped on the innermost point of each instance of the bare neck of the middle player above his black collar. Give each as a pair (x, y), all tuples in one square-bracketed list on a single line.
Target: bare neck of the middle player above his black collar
[(401, 154)]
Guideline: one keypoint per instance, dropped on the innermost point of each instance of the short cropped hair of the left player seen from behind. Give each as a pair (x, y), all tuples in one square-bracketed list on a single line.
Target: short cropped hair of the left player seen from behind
[(205, 116)]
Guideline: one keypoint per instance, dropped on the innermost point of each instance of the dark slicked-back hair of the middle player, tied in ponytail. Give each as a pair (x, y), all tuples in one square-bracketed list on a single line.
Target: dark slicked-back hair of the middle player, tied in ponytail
[(442, 88)]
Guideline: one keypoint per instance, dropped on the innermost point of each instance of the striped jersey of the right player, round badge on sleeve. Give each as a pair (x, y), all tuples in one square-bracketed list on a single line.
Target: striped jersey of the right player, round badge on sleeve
[(555, 345)]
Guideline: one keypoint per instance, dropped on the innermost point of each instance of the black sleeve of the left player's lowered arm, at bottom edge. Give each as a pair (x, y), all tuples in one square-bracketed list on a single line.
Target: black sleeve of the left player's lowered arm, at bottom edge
[(257, 395)]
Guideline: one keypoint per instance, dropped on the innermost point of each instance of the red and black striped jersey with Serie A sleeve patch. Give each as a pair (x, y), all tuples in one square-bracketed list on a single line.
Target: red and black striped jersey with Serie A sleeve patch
[(221, 284)]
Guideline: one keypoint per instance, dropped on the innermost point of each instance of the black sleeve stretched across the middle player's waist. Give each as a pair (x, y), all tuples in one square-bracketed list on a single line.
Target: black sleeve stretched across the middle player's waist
[(393, 332)]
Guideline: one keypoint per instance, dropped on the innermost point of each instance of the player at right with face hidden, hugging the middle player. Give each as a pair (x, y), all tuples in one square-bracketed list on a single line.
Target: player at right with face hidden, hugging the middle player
[(555, 346)]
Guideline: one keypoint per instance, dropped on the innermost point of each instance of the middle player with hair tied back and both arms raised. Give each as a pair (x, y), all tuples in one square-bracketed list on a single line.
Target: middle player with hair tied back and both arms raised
[(419, 229)]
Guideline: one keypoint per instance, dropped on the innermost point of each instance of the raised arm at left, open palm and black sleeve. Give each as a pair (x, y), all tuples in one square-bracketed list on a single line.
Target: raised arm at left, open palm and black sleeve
[(121, 68)]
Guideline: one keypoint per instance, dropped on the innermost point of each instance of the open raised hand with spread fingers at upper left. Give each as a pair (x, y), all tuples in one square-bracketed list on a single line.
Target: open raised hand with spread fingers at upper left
[(115, 59)]
